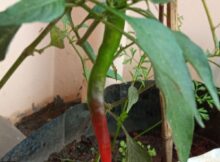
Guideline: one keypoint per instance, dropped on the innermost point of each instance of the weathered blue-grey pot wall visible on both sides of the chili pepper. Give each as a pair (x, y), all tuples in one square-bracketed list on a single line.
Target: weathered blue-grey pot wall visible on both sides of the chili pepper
[(75, 122)]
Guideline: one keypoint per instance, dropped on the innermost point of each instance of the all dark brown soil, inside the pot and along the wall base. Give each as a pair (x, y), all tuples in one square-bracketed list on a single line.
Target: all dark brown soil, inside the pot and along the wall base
[(85, 150)]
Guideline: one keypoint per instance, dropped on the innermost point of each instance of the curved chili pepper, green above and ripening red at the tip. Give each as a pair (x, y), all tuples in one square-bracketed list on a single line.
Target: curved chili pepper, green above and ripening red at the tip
[(109, 46)]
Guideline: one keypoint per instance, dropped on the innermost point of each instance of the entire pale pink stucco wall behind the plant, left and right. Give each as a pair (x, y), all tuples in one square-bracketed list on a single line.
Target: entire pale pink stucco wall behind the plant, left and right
[(59, 72)]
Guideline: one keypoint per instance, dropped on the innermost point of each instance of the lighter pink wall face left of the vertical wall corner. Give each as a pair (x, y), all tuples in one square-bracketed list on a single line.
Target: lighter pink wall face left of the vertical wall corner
[(31, 86)]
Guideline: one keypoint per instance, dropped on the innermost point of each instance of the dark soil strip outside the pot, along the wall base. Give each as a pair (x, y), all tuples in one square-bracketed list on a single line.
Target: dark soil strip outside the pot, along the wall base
[(34, 121)]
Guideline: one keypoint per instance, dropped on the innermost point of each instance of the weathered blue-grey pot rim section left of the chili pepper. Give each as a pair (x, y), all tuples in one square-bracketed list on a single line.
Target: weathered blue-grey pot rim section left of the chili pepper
[(51, 137)]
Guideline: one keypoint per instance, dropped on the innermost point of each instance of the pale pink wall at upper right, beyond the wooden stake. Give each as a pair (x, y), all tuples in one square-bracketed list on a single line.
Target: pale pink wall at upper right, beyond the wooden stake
[(195, 25)]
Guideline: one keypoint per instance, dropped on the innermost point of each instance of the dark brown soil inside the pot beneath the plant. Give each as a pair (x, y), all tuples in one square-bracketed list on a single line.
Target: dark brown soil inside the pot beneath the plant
[(85, 150)]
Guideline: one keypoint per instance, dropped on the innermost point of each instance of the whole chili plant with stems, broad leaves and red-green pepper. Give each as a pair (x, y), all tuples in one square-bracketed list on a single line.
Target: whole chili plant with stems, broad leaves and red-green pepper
[(167, 50)]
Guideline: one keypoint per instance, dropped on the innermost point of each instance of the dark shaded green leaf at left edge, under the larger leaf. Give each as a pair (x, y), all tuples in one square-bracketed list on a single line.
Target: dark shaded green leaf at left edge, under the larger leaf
[(6, 35)]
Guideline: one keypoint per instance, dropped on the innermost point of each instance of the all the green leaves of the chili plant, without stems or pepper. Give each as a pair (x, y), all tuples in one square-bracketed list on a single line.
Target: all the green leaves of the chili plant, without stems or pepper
[(167, 50)]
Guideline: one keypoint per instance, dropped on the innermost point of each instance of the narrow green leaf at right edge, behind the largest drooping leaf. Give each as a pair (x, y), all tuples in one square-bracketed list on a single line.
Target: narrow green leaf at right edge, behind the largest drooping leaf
[(197, 58)]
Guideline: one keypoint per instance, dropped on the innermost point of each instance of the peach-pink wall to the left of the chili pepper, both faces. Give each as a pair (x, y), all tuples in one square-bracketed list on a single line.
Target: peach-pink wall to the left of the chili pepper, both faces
[(42, 77)]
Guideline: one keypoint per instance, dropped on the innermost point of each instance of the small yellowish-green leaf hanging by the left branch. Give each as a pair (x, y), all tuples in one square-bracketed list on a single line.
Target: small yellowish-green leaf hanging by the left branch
[(57, 37)]
